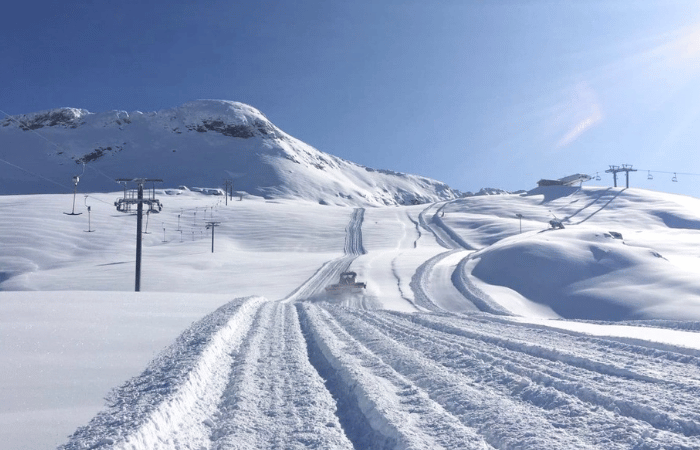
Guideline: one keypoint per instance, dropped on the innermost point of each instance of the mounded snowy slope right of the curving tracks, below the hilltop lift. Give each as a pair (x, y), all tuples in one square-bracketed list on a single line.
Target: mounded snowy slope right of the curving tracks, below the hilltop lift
[(624, 254)]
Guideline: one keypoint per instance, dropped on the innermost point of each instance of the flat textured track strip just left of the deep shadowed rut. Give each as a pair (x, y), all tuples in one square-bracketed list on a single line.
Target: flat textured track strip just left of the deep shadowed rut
[(275, 398)]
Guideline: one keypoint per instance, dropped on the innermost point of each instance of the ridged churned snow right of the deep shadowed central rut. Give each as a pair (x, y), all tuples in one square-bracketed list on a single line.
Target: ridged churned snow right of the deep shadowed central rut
[(443, 381)]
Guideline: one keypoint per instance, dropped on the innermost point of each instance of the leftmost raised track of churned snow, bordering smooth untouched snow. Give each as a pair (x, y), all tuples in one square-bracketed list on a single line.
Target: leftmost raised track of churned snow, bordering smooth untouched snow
[(167, 405)]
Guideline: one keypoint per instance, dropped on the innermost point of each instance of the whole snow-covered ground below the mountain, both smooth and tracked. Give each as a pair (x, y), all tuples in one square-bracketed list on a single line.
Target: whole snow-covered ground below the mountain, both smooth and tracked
[(470, 334)]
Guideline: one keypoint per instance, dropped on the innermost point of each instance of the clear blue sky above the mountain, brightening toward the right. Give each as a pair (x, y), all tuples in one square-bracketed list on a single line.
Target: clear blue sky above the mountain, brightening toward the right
[(473, 93)]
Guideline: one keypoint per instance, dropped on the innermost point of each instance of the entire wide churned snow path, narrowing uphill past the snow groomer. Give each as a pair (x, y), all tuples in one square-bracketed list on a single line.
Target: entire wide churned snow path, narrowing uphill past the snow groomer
[(308, 372)]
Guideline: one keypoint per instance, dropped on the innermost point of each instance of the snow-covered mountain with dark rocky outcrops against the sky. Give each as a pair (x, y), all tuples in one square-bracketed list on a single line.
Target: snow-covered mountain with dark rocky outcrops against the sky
[(201, 143)]
